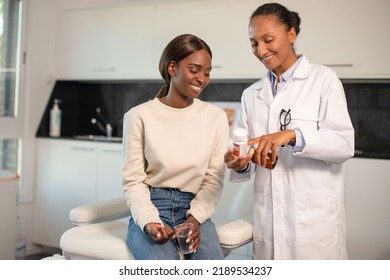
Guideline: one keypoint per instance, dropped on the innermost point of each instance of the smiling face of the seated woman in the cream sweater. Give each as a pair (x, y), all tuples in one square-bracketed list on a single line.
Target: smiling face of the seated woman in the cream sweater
[(189, 77)]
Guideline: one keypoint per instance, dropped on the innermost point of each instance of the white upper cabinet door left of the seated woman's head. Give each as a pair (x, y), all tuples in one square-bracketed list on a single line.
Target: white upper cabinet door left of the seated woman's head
[(108, 43)]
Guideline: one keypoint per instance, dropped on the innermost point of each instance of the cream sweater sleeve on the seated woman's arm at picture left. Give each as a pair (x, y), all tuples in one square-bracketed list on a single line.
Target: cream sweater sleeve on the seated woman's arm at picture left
[(135, 191)]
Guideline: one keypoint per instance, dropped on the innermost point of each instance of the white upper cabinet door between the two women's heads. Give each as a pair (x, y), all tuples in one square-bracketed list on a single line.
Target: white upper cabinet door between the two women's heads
[(225, 30)]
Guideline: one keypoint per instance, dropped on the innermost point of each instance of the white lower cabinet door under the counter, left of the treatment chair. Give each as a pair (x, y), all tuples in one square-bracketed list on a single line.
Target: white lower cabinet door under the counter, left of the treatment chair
[(66, 178)]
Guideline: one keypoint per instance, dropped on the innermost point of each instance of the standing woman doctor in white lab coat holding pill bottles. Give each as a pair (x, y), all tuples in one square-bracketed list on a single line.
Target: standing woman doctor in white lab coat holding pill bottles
[(297, 116)]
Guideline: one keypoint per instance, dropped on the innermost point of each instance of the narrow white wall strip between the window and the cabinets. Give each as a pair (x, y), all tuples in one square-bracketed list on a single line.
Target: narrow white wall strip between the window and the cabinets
[(40, 65)]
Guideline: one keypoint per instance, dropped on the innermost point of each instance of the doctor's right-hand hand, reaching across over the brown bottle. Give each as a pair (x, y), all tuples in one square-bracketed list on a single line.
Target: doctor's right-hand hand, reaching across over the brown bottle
[(267, 145)]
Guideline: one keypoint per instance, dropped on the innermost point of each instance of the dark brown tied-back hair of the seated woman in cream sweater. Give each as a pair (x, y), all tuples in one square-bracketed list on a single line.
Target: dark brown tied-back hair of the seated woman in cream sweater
[(177, 49)]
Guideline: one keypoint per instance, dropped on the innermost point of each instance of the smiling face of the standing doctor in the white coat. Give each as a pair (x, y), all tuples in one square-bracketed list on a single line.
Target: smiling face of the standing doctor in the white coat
[(272, 43)]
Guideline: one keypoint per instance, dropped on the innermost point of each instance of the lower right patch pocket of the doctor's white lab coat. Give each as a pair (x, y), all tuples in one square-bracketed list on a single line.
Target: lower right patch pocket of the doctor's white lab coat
[(316, 216)]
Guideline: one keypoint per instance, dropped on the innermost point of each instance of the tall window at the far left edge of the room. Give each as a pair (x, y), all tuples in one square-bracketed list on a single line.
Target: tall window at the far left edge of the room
[(10, 123)]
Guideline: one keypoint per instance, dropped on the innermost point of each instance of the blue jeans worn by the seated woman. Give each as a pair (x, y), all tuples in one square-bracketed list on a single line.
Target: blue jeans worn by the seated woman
[(172, 206)]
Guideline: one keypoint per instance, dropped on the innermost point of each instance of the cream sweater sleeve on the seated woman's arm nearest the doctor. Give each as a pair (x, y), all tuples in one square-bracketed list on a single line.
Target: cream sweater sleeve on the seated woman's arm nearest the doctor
[(204, 203)]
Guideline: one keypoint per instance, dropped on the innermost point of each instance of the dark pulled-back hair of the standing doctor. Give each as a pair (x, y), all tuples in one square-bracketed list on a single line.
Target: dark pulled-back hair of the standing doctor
[(285, 16)]
